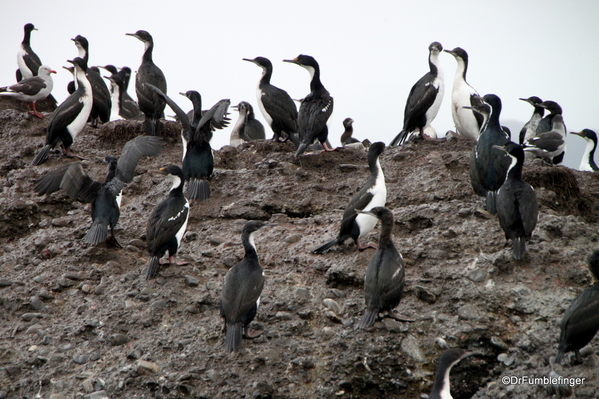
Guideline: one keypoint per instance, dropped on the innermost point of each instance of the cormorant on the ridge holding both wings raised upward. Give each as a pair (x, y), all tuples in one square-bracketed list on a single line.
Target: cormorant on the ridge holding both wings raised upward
[(198, 160)]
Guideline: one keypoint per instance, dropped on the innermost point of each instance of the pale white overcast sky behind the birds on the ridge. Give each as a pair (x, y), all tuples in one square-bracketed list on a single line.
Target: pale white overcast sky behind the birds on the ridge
[(370, 52)]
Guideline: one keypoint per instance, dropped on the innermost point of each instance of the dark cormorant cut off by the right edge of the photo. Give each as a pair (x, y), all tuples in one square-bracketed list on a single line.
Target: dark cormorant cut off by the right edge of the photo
[(580, 322)]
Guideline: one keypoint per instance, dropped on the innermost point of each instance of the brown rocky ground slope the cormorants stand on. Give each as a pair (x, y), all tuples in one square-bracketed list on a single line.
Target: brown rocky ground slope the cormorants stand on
[(81, 321)]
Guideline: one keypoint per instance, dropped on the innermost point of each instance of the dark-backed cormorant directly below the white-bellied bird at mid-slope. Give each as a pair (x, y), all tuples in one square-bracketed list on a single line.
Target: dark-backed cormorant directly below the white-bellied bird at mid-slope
[(385, 275)]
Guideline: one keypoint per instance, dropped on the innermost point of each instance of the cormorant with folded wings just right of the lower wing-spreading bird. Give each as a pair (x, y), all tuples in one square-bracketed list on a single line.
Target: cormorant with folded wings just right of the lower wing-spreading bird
[(167, 223)]
